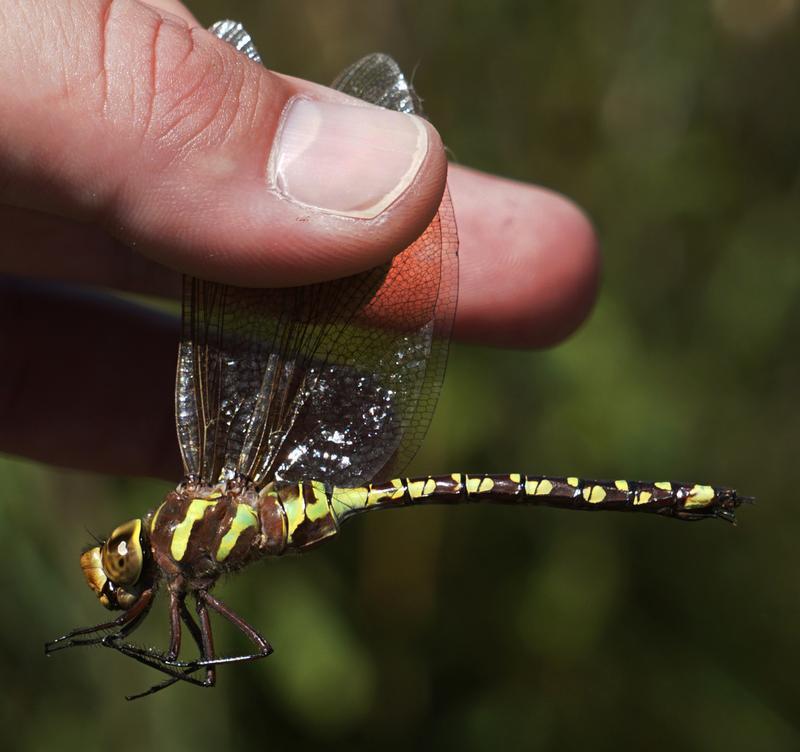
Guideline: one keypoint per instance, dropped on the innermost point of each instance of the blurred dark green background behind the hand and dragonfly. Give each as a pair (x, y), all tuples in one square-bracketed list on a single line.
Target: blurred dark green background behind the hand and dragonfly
[(675, 124)]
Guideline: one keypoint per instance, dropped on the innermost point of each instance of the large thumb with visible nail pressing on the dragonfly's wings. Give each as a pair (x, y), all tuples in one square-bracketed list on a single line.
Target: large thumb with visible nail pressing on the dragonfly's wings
[(116, 113)]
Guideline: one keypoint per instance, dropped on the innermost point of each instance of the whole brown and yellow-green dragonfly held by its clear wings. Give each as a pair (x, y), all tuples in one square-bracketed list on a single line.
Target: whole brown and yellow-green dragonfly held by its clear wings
[(296, 410)]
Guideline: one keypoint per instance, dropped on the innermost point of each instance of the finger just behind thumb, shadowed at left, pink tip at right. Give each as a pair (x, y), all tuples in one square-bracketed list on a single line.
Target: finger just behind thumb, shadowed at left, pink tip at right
[(529, 260)]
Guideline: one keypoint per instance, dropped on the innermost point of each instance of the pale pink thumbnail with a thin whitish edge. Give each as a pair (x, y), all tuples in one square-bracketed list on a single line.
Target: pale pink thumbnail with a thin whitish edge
[(348, 160)]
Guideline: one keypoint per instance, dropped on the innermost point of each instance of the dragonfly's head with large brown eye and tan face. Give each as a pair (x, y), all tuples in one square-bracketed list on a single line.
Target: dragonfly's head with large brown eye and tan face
[(114, 569)]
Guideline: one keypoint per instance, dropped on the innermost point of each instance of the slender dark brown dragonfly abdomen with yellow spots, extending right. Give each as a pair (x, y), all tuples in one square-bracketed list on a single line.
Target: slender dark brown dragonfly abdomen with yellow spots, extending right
[(679, 500)]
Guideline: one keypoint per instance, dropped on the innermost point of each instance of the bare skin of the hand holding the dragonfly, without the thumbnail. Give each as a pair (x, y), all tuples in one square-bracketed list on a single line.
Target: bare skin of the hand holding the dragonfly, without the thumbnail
[(103, 184)]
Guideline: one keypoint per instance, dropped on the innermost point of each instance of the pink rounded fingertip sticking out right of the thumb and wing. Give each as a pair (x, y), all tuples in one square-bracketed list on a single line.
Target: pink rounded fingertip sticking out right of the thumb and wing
[(529, 262)]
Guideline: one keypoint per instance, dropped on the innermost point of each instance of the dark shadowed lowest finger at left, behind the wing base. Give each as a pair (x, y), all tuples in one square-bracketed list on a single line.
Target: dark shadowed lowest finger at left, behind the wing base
[(91, 382)]
